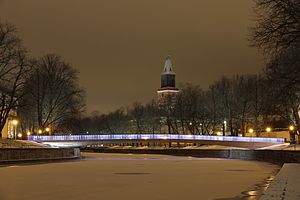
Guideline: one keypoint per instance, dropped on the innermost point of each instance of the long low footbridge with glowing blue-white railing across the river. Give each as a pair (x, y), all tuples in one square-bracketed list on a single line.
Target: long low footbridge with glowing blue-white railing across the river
[(167, 140)]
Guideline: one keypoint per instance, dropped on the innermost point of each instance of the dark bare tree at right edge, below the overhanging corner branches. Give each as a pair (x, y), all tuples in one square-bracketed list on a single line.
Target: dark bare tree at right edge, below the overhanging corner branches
[(284, 73)]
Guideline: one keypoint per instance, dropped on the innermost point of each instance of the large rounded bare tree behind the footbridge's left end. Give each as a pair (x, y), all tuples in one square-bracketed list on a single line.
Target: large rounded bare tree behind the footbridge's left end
[(53, 93)]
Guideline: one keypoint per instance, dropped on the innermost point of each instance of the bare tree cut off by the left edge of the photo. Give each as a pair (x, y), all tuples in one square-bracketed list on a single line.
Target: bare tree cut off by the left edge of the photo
[(14, 66)]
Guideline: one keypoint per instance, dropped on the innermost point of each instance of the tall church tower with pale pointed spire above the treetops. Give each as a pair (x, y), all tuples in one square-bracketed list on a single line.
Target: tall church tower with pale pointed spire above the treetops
[(167, 91)]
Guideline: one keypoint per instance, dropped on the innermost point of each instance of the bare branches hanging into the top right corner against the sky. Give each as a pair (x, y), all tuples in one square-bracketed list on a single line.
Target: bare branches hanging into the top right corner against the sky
[(277, 25)]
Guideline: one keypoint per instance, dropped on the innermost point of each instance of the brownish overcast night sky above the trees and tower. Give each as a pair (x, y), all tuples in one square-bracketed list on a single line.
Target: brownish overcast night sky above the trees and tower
[(119, 46)]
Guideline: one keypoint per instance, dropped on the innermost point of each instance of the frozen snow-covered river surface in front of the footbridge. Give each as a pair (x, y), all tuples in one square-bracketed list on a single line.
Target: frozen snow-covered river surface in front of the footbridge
[(133, 177)]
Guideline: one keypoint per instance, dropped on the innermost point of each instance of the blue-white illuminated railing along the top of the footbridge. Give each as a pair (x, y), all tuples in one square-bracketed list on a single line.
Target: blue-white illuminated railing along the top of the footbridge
[(66, 138)]
